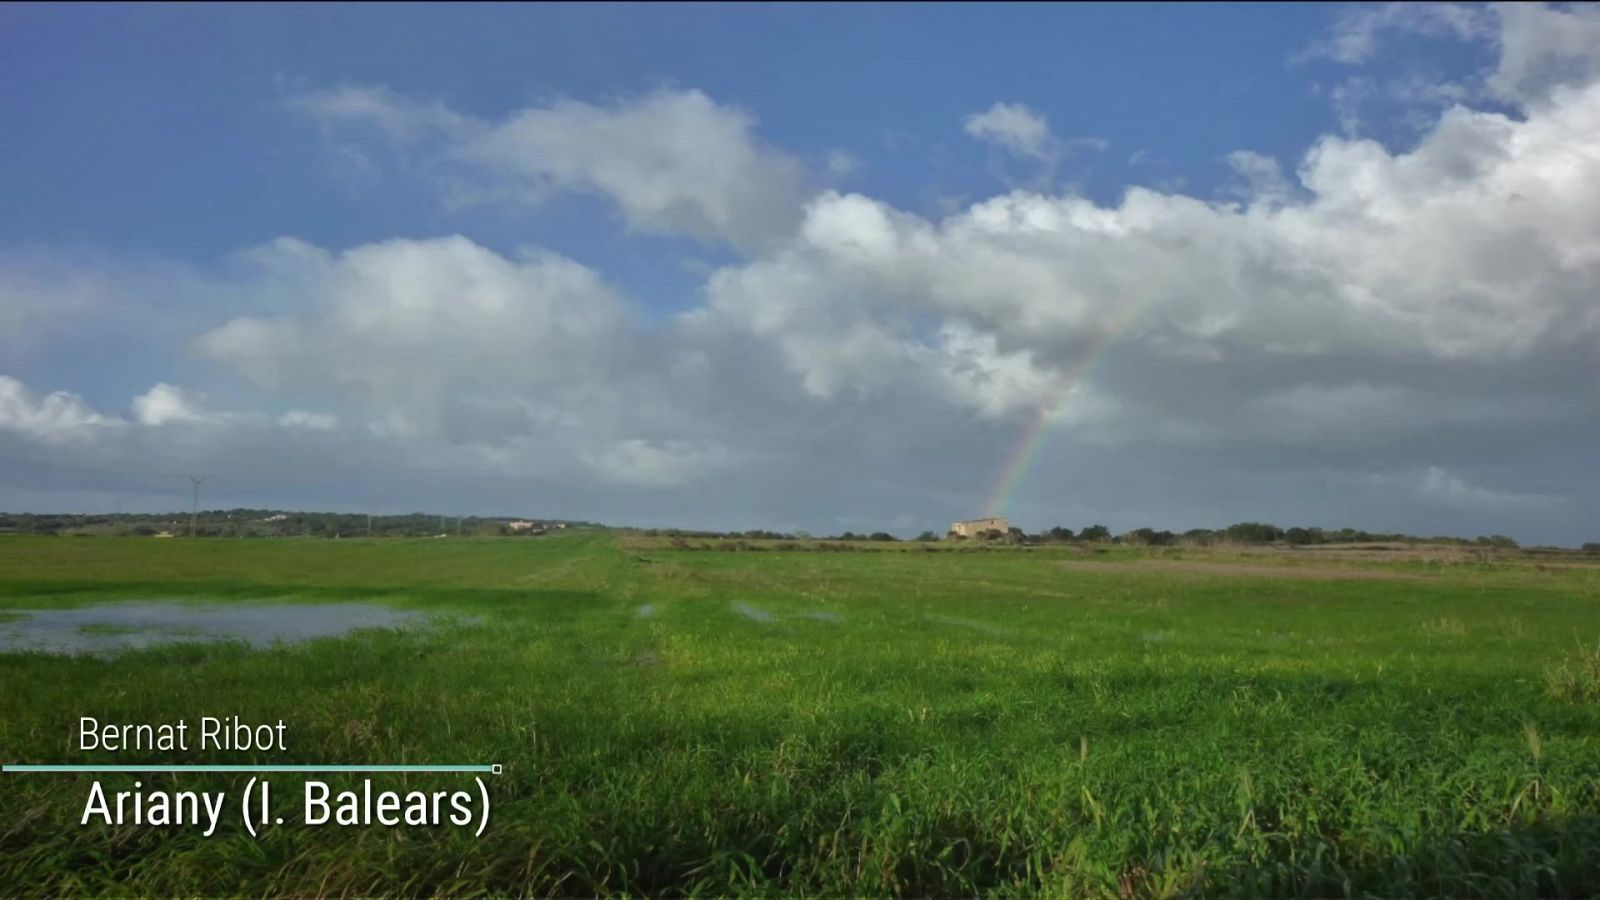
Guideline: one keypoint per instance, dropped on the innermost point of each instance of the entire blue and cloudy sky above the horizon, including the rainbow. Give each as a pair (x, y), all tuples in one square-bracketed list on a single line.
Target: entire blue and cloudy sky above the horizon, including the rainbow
[(807, 268)]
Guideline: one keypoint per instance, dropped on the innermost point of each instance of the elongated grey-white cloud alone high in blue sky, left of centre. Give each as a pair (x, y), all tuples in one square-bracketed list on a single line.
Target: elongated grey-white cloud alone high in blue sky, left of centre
[(673, 161)]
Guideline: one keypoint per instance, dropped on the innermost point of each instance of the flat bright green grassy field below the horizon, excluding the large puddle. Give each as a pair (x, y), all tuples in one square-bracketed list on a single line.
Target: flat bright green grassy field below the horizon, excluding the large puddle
[(702, 721)]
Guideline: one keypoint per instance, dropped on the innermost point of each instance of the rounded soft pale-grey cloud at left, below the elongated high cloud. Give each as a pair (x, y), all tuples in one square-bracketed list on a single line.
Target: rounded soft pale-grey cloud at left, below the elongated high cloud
[(407, 326)]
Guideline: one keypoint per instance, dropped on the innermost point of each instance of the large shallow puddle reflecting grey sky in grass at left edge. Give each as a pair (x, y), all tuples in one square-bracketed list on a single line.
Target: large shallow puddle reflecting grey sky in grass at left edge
[(110, 629)]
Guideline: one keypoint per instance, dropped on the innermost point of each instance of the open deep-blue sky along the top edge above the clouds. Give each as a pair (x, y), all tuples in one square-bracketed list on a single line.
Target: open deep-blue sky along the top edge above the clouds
[(191, 100)]
